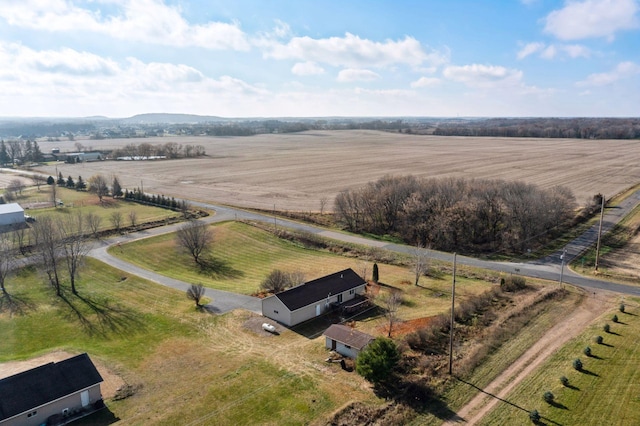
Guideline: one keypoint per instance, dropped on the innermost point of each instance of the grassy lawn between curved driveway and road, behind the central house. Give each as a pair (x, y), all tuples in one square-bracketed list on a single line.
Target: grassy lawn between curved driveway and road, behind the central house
[(246, 254)]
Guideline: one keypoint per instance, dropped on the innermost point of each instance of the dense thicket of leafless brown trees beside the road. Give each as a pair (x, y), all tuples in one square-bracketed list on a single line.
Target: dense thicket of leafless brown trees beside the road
[(457, 214)]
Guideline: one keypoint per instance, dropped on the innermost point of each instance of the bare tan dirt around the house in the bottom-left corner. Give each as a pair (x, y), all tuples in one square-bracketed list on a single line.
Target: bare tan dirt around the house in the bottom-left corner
[(109, 387)]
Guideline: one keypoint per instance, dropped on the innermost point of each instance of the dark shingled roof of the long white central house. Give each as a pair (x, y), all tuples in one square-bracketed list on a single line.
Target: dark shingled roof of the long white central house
[(319, 289)]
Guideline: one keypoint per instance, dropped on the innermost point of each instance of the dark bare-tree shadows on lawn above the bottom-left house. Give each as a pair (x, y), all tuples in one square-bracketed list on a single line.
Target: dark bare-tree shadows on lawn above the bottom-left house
[(102, 316)]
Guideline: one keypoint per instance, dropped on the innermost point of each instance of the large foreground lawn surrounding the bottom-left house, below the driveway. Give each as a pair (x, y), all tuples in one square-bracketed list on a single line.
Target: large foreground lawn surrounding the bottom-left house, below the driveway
[(185, 366)]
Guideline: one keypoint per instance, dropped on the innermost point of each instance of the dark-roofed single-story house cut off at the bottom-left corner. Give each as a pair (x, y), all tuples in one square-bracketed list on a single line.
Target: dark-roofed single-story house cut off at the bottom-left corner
[(54, 393)]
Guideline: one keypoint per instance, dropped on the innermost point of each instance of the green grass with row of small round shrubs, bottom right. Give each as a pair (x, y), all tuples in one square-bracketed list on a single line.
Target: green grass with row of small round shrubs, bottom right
[(605, 391)]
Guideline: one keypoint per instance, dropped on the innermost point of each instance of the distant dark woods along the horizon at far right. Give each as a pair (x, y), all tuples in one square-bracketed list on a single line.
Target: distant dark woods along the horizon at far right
[(580, 128)]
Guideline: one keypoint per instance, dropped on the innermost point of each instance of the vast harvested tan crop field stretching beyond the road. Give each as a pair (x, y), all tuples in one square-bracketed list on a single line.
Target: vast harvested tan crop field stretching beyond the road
[(295, 171)]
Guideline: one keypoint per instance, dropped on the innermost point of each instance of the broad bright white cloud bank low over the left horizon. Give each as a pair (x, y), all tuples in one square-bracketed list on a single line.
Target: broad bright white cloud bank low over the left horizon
[(81, 83)]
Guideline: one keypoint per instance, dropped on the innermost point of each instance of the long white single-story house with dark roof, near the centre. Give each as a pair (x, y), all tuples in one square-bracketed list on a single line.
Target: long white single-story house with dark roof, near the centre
[(313, 298)]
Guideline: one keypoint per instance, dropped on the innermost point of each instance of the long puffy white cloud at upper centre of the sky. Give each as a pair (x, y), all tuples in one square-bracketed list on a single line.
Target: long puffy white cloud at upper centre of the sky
[(353, 51)]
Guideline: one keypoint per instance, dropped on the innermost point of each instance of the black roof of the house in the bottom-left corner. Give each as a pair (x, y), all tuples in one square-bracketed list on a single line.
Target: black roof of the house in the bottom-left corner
[(36, 387)]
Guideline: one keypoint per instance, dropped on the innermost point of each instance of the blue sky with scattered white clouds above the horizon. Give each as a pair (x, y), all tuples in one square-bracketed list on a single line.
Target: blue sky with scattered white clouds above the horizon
[(270, 58)]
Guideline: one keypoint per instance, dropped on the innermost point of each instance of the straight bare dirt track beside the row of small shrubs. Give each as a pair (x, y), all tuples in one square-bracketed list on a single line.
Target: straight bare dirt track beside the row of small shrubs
[(591, 308)]
